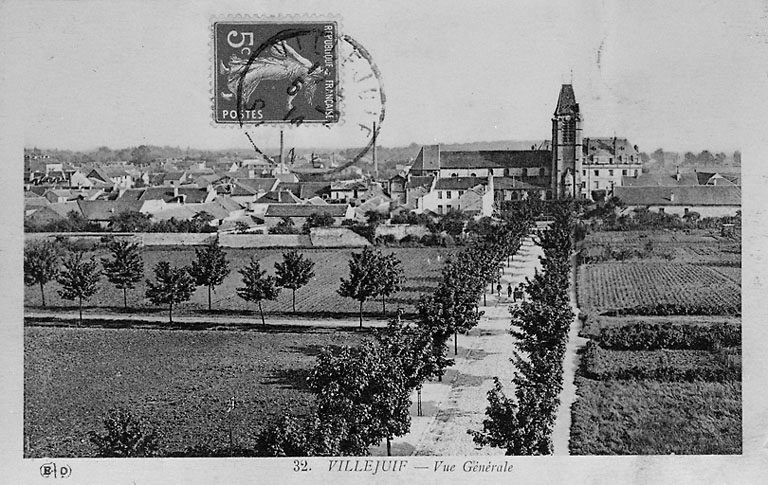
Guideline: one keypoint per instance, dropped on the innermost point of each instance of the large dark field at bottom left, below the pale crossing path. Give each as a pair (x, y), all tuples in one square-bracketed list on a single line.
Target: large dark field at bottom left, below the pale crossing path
[(181, 380)]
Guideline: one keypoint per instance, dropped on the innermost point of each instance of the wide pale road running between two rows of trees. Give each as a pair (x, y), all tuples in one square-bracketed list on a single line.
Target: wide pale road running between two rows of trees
[(458, 403)]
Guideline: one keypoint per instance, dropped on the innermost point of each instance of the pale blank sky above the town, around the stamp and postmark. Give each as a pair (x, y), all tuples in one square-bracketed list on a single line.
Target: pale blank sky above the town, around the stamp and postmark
[(677, 75)]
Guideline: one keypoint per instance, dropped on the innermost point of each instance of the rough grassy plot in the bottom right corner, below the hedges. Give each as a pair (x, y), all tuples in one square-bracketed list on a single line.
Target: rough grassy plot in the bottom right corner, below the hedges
[(656, 418)]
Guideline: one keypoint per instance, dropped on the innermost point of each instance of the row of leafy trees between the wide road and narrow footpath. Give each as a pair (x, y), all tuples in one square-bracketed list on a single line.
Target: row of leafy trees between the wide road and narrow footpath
[(523, 424)]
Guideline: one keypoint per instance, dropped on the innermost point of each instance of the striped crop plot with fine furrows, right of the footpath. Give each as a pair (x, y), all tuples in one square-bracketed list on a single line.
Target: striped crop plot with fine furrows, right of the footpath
[(616, 286)]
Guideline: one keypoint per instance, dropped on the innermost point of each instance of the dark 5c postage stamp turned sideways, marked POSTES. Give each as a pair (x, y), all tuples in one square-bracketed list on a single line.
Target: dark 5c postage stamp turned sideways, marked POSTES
[(273, 71)]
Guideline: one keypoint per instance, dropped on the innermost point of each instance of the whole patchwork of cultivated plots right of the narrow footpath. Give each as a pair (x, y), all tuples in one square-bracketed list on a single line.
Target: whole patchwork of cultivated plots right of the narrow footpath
[(662, 370)]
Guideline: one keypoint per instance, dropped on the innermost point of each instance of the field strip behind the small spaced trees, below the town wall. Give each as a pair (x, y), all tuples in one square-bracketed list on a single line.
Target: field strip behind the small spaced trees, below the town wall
[(421, 266)]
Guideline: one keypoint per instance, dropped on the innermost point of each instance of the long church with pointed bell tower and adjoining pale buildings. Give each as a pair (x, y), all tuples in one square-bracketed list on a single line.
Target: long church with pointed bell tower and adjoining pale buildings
[(568, 166)]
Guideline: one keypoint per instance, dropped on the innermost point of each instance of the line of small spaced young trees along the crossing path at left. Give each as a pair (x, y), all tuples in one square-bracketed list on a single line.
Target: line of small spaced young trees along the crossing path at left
[(371, 274)]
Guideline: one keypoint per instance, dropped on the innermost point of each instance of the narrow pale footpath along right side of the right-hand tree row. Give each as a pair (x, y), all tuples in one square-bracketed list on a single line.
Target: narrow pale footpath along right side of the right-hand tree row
[(561, 435)]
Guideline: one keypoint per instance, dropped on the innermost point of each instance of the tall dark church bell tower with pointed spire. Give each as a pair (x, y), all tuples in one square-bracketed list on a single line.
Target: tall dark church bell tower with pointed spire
[(567, 149)]
